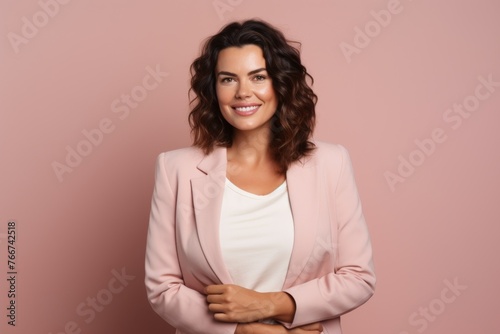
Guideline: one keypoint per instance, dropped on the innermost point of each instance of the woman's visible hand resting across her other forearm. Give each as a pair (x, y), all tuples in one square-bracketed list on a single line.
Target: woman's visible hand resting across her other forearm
[(233, 303)]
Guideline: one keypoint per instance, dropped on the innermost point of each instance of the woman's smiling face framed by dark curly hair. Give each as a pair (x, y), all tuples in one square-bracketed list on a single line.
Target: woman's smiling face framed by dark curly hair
[(244, 89)]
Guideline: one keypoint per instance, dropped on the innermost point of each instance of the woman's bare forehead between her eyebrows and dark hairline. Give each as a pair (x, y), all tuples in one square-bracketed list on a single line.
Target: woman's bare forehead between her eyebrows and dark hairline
[(247, 57)]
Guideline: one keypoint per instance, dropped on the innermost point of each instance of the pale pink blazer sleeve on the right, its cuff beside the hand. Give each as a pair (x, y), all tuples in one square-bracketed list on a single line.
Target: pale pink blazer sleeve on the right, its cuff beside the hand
[(352, 282)]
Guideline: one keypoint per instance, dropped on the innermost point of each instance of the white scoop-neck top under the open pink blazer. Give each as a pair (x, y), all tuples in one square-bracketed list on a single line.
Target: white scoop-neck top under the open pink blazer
[(256, 235)]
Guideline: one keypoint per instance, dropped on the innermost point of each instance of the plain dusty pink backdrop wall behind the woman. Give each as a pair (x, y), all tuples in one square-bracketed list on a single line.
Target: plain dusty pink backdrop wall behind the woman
[(436, 225)]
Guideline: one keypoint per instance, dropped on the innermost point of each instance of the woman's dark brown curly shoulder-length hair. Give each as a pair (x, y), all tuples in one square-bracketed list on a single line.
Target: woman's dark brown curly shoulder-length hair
[(294, 120)]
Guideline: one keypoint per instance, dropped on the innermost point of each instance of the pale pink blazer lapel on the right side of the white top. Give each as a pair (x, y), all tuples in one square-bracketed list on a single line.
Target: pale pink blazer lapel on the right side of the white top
[(303, 195)]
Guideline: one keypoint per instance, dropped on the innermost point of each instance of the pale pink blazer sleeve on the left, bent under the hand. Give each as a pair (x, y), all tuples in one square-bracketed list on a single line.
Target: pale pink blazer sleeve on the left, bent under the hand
[(182, 307)]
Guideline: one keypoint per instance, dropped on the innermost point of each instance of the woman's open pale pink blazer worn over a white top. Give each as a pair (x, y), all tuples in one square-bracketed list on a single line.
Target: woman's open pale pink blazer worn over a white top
[(330, 271)]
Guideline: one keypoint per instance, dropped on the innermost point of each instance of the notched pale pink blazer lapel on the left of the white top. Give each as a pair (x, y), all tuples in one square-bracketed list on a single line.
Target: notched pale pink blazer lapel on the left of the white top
[(208, 191)]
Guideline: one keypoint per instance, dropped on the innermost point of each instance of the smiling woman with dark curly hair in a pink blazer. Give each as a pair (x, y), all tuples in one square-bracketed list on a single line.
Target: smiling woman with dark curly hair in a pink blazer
[(255, 228)]
